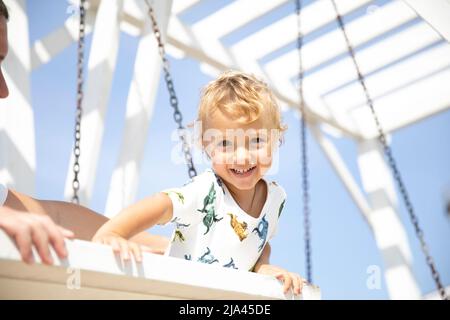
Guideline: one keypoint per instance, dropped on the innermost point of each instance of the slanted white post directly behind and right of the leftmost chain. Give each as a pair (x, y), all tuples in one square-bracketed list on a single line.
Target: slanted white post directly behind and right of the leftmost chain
[(101, 67)]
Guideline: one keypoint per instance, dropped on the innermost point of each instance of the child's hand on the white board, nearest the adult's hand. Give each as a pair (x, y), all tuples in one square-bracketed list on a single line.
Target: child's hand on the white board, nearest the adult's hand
[(120, 246)]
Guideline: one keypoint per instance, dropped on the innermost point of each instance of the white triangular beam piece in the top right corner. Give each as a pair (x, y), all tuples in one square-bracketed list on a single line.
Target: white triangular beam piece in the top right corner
[(436, 13)]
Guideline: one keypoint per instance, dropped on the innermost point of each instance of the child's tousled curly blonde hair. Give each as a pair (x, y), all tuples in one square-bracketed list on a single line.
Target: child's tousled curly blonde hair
[(242, 97)]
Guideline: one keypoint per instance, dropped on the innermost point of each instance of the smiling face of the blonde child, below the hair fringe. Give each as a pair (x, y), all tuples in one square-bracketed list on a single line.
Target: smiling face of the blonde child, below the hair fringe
[(240, 153)]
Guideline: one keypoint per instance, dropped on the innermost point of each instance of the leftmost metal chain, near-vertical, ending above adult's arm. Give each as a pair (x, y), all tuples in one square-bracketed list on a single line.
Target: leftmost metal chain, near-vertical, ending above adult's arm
[(79, 111)]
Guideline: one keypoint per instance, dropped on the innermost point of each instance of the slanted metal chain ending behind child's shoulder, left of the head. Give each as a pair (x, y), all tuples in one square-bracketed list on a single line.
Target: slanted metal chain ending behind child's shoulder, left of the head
[(177, 116)]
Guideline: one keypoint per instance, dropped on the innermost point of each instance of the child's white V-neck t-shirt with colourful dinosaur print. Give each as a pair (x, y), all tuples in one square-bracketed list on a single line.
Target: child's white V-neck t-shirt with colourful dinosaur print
[(212, 228)]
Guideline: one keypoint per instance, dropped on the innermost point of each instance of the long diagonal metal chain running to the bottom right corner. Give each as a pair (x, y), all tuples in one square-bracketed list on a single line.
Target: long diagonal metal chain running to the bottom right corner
[(388, 152)]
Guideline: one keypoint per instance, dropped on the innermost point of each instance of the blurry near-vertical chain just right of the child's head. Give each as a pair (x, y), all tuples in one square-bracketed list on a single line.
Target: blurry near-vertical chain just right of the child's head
[(305, 182)]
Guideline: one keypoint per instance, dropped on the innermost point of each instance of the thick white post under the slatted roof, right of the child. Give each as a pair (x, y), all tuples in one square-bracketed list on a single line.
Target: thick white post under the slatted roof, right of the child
[(389, 232)]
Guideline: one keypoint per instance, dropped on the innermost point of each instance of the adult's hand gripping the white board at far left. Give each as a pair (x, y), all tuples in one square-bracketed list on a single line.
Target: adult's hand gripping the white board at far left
[(28, 230)]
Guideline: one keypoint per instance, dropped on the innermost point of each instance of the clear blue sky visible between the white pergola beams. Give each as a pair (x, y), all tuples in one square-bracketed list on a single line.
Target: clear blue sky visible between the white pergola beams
[(343, 246)]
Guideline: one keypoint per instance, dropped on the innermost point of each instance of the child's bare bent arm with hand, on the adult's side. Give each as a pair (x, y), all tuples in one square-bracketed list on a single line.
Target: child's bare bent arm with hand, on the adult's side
[(138, 217)]
